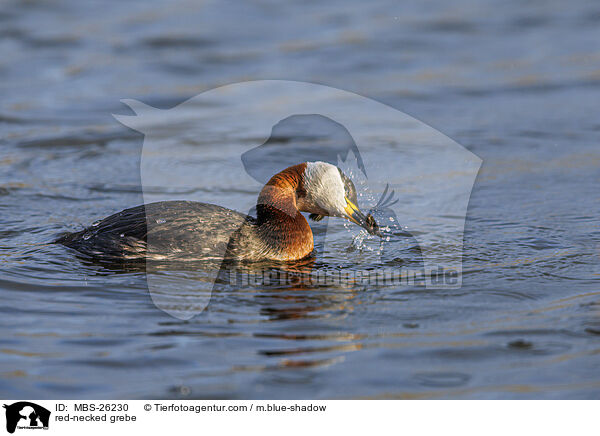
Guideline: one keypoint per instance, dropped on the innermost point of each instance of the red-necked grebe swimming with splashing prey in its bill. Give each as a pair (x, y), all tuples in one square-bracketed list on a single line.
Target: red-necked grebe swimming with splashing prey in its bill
[(187, 230)]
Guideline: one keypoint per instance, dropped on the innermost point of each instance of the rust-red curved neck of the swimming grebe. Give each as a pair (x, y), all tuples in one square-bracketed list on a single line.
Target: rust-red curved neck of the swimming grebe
[(278, 217)]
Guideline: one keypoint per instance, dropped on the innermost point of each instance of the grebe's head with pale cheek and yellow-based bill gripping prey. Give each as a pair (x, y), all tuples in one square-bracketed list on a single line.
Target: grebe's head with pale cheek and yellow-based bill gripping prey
[(329, 192)]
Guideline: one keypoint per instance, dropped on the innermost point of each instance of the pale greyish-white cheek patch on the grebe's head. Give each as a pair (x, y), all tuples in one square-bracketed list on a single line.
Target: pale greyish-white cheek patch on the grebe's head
[(324, 187)]
